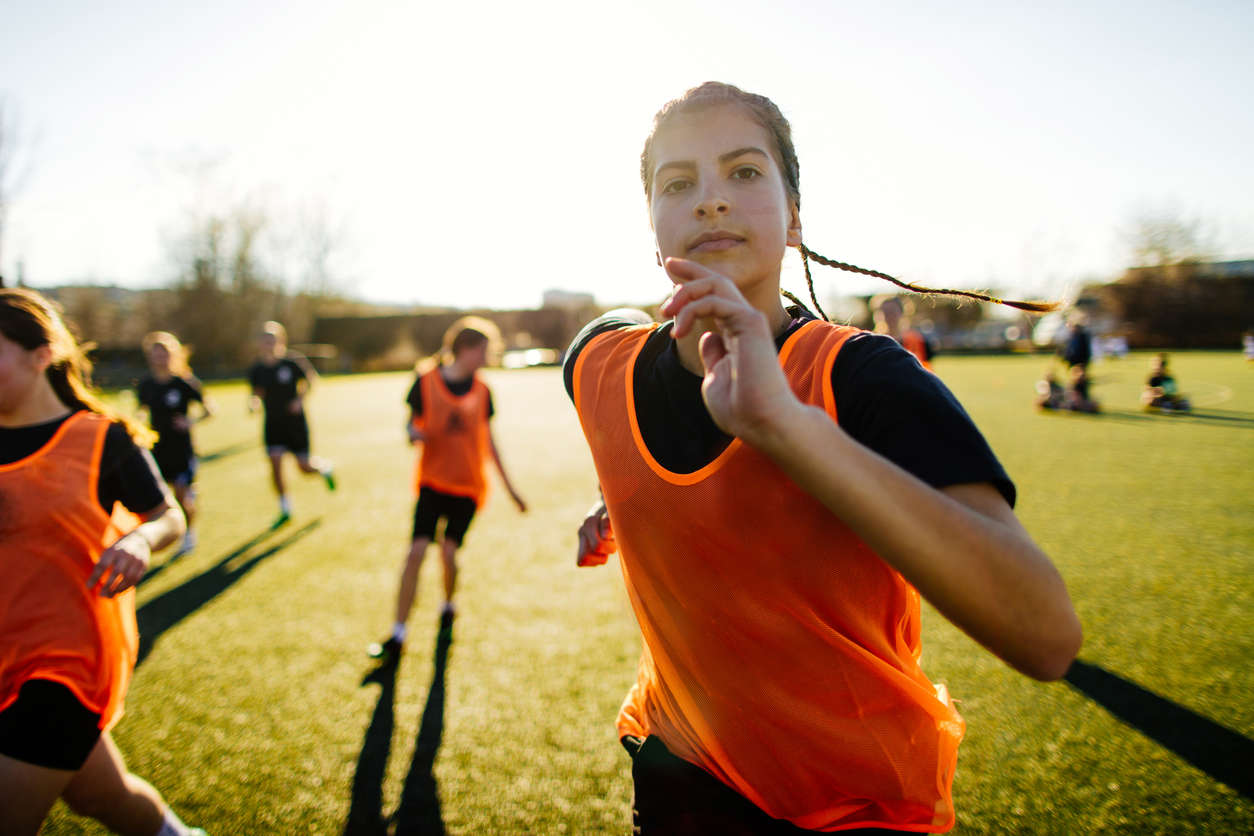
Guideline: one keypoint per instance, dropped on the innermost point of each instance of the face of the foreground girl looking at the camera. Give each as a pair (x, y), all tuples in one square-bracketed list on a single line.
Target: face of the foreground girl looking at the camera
[(719, 196)]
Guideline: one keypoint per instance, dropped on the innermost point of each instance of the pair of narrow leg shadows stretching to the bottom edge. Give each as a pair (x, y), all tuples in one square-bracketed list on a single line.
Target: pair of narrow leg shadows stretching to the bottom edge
[(419, 809)]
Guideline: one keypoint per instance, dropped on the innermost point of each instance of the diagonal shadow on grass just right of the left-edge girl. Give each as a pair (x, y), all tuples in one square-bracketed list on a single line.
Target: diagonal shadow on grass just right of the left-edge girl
[(170, 609)]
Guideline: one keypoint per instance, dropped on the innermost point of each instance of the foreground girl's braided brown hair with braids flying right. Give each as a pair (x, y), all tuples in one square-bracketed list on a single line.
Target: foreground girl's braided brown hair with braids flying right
[(766, 113)]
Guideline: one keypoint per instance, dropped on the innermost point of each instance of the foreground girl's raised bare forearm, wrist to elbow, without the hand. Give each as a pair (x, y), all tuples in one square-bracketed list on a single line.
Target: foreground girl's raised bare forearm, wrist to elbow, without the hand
[(962, 548)]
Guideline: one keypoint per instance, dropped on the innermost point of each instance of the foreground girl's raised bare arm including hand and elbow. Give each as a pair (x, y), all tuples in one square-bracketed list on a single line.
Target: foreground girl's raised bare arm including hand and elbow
[(962, 547)]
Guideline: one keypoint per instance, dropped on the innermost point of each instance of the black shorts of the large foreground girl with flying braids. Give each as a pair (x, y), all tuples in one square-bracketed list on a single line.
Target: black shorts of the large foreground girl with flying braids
[(680, 799)]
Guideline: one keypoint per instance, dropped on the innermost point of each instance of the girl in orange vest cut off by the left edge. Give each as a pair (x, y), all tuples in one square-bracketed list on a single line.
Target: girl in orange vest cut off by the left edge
[(82, 511)]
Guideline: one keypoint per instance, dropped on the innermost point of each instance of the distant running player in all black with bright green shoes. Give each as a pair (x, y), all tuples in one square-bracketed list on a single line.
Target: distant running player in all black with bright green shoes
[(280, 383)]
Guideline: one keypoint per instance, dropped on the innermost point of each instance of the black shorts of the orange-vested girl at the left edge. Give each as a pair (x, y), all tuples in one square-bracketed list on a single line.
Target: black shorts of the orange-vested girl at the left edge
[(50, 728)]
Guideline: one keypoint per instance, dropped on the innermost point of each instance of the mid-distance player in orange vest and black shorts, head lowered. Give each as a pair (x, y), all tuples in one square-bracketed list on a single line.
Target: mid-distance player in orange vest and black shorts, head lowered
[(451, 409)]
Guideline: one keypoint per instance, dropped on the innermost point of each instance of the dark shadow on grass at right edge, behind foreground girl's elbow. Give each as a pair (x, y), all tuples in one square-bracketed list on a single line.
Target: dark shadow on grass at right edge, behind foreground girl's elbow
[(1217, 750)]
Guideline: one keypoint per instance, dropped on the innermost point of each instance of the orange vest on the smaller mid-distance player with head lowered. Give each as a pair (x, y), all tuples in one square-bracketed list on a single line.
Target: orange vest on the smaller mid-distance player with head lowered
[(457, 448)]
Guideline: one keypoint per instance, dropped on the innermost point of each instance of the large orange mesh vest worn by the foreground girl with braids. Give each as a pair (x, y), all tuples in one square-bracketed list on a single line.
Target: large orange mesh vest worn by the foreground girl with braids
[(781, 652)]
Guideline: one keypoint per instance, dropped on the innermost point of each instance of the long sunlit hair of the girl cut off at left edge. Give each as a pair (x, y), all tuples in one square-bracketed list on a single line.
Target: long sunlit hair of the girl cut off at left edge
[(33, 321)]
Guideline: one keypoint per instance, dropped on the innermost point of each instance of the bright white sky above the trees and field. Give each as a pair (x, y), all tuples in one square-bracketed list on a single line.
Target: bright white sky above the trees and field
[(478, 154)]
